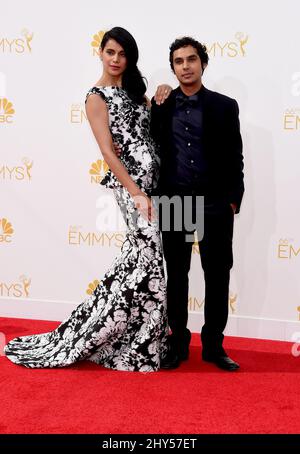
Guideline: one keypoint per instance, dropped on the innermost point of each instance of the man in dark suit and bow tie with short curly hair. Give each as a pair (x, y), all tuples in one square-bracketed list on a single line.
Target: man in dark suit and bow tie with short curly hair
[(201, 154)]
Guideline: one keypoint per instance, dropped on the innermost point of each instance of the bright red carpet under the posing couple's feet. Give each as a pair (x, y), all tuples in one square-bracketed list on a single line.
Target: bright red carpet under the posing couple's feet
[(263, 397)]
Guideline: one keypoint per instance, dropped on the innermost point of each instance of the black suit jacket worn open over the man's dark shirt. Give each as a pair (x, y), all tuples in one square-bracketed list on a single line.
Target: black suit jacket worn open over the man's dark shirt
[(222, 143)]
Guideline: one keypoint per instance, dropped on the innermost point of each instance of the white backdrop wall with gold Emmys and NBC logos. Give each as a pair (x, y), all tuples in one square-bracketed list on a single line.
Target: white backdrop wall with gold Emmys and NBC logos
[(53, 247)]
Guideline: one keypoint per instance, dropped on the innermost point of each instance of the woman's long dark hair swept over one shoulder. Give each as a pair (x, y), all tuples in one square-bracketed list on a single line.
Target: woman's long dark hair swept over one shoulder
[(133, 82)]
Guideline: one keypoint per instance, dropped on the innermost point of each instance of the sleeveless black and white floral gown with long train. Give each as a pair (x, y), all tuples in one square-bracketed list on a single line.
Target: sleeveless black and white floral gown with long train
[(123, 324)]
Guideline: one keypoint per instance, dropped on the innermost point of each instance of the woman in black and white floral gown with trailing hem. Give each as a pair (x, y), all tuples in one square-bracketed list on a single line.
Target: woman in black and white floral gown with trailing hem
[(122, 325)]
